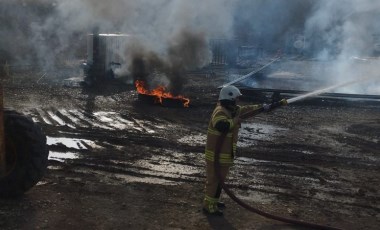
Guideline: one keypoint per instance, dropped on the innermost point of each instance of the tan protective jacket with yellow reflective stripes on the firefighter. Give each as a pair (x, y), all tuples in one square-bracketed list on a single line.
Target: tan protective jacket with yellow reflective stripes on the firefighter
[(229, 144)]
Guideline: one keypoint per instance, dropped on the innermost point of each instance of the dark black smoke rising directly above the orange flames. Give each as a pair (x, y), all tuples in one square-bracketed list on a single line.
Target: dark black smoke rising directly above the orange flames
[(186, 51)]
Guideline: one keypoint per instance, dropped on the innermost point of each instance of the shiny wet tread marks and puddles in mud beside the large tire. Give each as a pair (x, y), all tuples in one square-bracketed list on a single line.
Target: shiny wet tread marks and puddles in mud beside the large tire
[(95, 131)]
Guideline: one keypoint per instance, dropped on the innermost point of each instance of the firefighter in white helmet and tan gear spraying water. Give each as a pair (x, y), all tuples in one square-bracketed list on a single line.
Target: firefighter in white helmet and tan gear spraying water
[(225, 120)]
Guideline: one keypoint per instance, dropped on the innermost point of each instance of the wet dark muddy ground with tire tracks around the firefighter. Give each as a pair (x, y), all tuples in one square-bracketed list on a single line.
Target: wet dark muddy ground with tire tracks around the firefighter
[(119, 163)]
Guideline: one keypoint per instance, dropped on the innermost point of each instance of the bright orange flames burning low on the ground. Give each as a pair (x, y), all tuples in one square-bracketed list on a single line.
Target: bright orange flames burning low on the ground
[(160, 92)]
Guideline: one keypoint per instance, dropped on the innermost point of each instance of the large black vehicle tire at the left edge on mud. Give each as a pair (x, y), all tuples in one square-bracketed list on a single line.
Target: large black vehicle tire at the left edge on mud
[(26, 154)]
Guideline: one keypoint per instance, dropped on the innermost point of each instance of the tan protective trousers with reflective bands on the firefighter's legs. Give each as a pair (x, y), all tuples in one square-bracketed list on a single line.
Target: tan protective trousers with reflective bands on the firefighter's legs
[(213, 187)]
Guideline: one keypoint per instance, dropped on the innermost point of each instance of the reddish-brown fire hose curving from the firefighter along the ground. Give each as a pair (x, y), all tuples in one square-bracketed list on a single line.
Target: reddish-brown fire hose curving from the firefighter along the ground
[(247, 206)]
